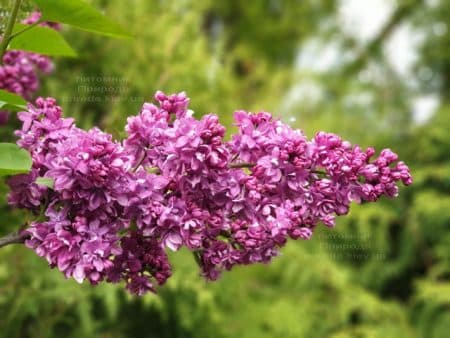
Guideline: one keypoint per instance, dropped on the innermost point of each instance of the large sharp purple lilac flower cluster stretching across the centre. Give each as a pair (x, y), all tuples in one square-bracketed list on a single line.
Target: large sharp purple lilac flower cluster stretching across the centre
[(116, 207)]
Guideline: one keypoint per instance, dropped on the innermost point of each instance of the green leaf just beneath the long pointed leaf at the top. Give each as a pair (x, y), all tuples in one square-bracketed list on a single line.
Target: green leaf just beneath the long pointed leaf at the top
[(42, 40)]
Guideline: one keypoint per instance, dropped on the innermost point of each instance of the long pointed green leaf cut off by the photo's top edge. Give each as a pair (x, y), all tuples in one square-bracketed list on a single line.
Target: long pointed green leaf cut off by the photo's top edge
[(82, 15)]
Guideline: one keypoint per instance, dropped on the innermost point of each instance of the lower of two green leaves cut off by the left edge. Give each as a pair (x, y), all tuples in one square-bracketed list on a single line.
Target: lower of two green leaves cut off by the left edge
[(13, 160)]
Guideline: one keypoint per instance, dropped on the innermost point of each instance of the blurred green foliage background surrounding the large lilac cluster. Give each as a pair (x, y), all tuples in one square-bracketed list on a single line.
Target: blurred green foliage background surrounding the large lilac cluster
[(384, 271)]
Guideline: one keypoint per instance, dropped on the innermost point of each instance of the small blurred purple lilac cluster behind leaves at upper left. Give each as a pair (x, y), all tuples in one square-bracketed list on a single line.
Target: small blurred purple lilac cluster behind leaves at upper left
[(19, 69)]
